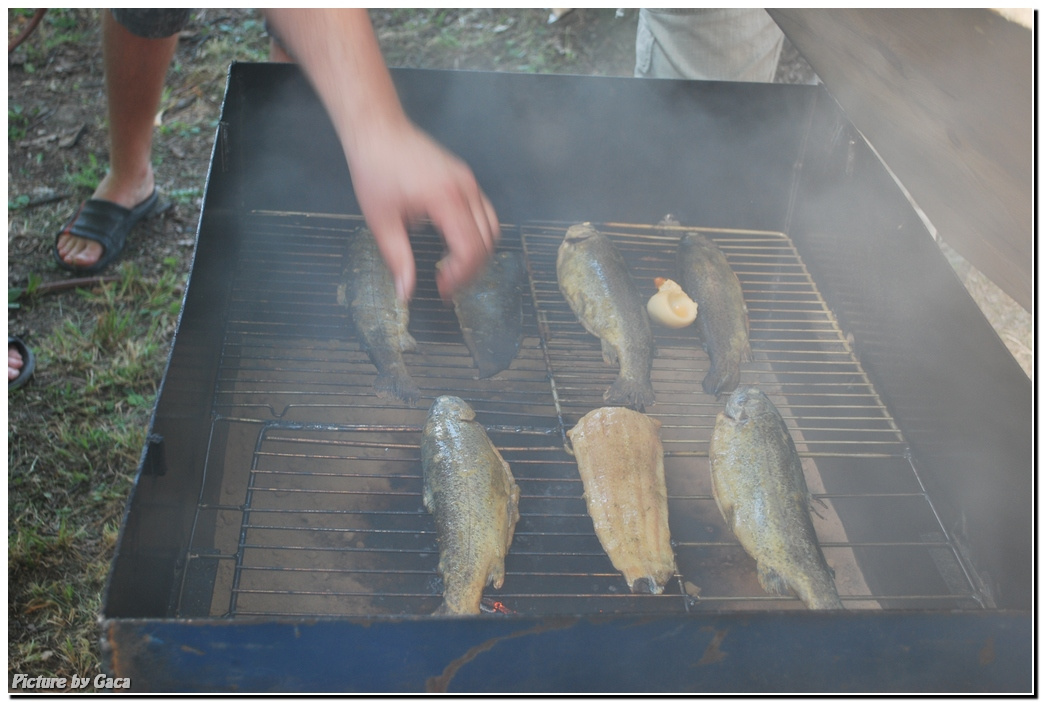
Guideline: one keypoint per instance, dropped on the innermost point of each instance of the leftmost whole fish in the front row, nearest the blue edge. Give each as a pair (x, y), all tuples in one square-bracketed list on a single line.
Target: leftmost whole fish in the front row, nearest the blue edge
[(470, 490)]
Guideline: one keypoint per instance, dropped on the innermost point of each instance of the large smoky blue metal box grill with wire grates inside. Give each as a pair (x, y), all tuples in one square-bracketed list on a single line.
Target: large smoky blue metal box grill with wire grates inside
[(276, 538)]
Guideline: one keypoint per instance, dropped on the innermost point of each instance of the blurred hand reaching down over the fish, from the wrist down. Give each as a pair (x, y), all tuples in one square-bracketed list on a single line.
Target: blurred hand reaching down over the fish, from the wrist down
[(401, 175)]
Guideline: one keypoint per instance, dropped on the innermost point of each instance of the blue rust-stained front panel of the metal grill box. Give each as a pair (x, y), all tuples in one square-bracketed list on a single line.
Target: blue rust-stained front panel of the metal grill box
[(724, 654)]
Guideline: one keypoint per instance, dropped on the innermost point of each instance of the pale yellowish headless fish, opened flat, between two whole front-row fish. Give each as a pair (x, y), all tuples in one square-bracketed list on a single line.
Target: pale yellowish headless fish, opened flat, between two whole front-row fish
[(621, 460)]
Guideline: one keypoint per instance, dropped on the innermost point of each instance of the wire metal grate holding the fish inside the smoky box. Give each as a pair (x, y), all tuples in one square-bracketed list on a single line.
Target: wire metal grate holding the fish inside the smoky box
[(313, 500)]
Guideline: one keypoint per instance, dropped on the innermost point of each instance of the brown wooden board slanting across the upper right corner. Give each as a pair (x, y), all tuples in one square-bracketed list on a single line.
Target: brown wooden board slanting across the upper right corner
[(946, 97)]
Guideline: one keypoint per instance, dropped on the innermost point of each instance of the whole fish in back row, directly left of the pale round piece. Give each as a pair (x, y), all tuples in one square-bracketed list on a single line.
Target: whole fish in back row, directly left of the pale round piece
[(599, 289)]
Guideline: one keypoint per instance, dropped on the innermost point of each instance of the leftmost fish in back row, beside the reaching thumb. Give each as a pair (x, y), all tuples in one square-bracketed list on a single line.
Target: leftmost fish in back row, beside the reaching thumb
[(382, 320)]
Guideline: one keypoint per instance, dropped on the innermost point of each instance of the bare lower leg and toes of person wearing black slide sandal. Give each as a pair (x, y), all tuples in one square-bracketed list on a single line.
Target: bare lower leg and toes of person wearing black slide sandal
[(136, 70)]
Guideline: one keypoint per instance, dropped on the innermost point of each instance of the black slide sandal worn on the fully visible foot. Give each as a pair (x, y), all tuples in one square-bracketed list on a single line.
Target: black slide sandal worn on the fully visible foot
[(108, 224)]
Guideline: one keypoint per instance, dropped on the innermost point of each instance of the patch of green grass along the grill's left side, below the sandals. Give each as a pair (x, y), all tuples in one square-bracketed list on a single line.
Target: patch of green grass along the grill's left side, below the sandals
[(73, 449)]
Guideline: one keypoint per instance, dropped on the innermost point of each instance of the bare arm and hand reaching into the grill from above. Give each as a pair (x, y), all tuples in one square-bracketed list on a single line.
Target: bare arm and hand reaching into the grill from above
[(400, 173)]
